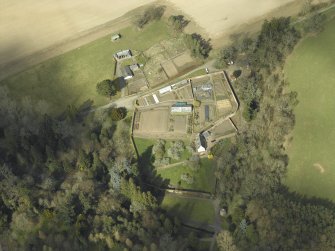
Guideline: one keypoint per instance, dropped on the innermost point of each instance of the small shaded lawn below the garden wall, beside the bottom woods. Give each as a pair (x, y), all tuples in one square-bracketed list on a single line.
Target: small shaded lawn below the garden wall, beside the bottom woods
[(189, 209)]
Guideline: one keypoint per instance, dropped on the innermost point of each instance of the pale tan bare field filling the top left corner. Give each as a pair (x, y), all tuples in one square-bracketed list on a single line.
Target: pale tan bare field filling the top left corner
[(29, 26)]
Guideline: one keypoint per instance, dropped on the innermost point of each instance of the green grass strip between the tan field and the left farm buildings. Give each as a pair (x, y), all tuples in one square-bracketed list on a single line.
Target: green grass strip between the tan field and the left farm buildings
[(71, 78)]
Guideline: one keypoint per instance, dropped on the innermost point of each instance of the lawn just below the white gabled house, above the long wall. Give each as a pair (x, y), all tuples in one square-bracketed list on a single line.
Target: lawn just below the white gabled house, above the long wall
[(204, 178)]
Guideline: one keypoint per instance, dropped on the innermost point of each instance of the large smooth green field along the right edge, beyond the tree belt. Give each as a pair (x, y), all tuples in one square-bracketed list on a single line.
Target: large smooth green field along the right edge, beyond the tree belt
[(311, 72)]
